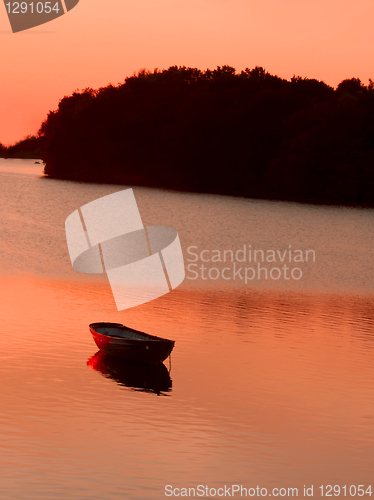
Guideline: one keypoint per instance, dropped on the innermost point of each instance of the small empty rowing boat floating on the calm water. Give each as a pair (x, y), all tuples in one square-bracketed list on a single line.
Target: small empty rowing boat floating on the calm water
[(120, 341)]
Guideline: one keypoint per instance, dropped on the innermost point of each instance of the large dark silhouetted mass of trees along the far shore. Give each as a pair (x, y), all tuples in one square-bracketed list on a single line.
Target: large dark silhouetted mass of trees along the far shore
[(248, 134)]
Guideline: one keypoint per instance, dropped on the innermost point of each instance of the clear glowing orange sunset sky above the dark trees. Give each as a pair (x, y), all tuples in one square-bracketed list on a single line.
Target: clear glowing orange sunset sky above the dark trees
[(102, 41)]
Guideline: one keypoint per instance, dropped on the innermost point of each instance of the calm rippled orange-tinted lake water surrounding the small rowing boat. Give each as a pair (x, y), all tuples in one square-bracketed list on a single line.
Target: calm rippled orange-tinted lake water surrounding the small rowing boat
[(271, 381)]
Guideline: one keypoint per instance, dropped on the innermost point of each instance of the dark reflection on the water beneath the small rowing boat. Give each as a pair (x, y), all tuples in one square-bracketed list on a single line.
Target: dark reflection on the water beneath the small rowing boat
[(139, 377)]
